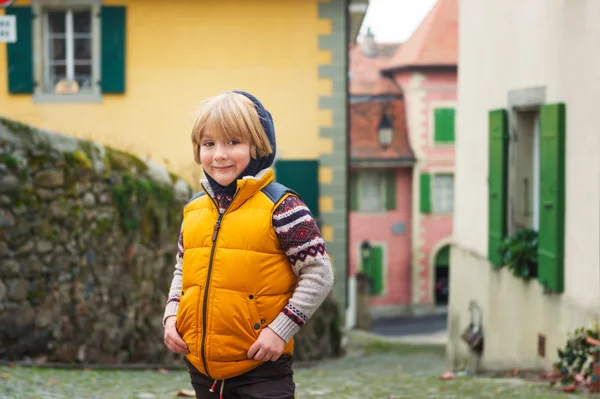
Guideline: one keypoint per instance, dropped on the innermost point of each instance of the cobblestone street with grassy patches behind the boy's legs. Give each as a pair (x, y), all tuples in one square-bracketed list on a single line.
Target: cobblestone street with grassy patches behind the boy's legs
[(395, 371)]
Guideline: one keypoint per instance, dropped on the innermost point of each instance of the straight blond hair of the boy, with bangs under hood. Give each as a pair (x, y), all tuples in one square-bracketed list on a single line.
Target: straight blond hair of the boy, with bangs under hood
[(231, 115)]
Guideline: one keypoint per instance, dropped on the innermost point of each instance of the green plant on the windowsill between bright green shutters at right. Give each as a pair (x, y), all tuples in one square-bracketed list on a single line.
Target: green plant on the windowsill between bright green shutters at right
[(519, 253)]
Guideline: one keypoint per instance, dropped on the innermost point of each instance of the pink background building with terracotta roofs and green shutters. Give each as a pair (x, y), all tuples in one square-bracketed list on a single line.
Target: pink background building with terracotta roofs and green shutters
[(408, 240)]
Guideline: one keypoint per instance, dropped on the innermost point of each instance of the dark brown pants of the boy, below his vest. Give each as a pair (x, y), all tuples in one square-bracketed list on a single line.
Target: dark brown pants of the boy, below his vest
[(270, 380)]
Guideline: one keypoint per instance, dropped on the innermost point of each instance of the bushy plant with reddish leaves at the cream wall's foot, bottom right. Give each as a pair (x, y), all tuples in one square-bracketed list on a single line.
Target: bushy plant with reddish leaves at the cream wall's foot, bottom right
[(577, 356)]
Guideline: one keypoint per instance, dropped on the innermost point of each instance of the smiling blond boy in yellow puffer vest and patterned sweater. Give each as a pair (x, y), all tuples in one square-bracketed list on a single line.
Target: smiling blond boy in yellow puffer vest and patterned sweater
[(251, 267)]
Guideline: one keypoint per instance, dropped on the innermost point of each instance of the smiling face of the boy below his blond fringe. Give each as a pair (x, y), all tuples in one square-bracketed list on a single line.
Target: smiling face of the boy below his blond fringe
[(223, 159)]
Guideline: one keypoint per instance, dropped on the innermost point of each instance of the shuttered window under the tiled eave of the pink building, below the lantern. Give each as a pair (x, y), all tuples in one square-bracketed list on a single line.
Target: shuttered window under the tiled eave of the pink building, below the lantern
[(373, 190)]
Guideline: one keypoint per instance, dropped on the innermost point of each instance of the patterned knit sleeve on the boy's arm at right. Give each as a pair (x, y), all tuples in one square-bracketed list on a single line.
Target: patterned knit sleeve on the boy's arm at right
[(301, 240)]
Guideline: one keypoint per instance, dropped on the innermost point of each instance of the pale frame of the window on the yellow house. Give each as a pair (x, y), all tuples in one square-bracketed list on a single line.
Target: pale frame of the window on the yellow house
[(40, 49)]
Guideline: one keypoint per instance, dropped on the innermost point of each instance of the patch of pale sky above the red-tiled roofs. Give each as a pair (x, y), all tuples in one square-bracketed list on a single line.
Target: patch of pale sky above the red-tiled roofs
[(395, 20)]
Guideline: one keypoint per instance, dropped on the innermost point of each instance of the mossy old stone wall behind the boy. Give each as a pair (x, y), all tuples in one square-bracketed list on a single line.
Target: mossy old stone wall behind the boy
[(87, 249)]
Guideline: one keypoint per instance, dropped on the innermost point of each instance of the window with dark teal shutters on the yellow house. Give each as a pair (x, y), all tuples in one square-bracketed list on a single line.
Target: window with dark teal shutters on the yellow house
[(67, 50)]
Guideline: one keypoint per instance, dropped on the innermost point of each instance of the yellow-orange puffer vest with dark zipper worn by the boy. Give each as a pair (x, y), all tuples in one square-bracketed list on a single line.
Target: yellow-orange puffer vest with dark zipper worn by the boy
[(236, 278)]
